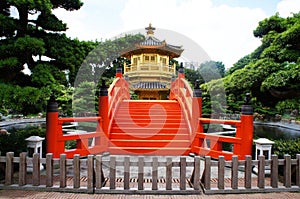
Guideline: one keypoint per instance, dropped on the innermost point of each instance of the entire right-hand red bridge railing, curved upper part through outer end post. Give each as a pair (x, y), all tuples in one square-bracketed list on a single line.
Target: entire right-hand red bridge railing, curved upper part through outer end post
[(208, 143)]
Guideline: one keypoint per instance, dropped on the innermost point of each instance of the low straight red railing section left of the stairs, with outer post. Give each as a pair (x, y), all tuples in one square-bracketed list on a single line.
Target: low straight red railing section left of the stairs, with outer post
[(86, 143)]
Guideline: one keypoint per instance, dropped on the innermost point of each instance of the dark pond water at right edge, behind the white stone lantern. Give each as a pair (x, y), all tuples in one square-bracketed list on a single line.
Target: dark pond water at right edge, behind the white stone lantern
[(276, 132)]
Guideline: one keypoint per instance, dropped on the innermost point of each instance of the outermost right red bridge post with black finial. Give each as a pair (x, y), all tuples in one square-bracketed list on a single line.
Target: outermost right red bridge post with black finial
[(246, 133)]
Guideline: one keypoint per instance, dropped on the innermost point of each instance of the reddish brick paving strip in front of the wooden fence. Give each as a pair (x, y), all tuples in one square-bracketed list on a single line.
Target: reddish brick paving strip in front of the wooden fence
[(47, 195)]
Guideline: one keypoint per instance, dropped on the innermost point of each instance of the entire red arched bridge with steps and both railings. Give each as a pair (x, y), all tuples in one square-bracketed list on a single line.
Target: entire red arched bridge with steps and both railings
[(150, 127)]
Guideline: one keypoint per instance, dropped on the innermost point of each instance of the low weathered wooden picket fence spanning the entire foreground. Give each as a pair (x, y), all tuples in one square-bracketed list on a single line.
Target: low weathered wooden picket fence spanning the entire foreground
[(101, 174)]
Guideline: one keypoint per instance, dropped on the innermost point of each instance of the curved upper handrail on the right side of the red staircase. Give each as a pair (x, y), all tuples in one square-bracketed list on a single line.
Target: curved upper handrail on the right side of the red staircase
[(182, 92)]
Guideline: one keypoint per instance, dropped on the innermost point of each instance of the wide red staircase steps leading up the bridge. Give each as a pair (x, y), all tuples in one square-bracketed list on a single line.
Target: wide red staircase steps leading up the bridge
[(149, 127)]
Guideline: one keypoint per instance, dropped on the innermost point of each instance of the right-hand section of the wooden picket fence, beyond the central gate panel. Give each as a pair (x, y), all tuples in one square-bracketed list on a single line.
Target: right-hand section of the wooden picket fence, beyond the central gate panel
[(245, 182)]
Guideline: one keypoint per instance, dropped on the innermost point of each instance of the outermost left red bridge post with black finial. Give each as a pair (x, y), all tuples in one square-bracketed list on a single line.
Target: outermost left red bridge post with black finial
[(52, 128)]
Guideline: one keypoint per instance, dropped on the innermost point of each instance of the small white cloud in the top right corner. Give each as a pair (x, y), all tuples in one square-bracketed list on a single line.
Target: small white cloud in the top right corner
[(286, 7)]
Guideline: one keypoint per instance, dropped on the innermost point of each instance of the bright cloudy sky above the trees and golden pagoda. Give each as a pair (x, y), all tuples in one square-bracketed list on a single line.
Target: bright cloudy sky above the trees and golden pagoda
[(222, 28)]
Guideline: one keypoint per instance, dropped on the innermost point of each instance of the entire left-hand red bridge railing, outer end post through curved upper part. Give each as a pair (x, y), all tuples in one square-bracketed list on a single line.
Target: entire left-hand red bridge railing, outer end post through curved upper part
[(88, 142)]
